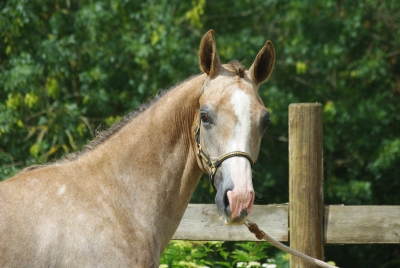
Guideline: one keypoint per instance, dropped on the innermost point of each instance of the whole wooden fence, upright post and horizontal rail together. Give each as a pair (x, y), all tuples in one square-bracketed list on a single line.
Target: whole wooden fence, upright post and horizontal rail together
[(312, 224)]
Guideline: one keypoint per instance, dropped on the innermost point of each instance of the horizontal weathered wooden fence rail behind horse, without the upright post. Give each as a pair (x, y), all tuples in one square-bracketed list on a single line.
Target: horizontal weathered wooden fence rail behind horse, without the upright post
[(342, 224)]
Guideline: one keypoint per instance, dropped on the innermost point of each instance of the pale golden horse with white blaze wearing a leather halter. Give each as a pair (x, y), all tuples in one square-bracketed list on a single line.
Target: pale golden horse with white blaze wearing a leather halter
[(118, 202)]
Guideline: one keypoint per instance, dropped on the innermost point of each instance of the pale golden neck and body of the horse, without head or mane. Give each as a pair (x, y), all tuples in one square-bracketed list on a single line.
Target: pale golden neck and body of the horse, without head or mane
[(107, 195)]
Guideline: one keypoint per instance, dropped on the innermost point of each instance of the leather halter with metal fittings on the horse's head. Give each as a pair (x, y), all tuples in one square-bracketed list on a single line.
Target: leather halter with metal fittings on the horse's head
[(213, 166)]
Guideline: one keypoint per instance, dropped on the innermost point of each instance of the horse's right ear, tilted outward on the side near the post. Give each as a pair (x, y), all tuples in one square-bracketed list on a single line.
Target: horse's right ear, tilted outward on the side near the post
[(263, 64)]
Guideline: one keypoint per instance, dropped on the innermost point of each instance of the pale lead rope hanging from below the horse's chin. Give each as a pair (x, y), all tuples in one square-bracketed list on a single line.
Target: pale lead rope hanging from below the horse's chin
[(261, 235)]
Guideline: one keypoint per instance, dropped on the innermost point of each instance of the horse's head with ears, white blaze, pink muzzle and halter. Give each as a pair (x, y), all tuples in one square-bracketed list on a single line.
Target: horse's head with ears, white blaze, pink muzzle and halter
[(232, 120)]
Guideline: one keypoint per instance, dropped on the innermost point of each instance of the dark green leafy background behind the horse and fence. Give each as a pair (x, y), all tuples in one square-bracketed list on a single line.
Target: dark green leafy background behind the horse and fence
[(69, 68)]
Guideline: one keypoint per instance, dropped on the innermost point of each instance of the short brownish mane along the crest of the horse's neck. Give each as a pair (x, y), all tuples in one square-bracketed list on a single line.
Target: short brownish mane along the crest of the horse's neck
[(102, 136)]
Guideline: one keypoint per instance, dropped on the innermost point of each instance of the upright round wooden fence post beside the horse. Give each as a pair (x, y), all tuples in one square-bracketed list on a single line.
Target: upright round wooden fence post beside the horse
[(306, 182)]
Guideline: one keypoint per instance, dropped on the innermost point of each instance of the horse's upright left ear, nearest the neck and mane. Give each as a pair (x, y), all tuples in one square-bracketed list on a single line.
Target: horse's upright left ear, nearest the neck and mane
[(208, 56)]
